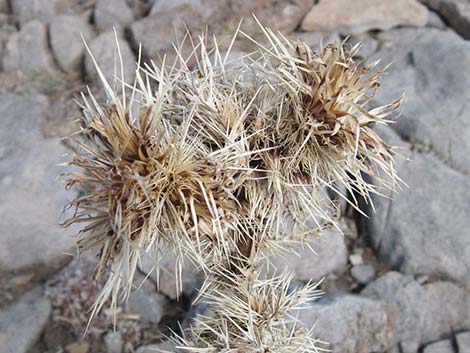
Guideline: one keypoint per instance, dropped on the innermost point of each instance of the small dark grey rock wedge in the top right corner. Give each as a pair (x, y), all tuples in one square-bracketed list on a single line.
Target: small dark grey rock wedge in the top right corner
[(455, 12)]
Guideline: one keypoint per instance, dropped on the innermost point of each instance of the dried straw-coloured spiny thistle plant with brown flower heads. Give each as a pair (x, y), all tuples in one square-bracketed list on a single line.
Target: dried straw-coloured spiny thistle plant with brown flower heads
[(210, 162)]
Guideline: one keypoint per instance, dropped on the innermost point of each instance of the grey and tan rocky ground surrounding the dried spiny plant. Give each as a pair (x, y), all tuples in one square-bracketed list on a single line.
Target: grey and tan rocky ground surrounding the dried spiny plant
[(398, 281)]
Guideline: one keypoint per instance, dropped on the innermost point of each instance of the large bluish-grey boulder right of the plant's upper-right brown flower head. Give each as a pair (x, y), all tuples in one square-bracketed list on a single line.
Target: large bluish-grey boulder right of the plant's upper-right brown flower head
[(435, 112)]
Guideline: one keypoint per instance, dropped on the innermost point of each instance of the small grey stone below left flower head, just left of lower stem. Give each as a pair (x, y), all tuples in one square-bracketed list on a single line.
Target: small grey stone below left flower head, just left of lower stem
[(149, 306)]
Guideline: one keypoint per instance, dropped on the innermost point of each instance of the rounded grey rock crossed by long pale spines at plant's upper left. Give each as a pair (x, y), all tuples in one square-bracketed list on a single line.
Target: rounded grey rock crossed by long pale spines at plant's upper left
[(104, 50)]
